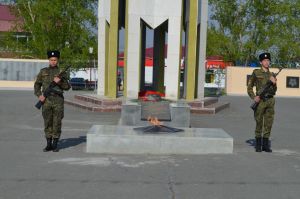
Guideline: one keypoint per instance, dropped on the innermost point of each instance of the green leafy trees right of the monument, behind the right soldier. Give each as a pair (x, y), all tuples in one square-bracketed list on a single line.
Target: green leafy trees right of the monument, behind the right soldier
[(243, 29)]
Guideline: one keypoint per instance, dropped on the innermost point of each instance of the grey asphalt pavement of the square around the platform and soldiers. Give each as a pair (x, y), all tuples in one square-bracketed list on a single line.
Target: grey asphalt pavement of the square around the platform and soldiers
[(28, 172)]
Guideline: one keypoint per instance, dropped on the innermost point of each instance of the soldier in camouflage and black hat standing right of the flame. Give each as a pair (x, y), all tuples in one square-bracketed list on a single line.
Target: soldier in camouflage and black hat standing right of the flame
[(264, 115)]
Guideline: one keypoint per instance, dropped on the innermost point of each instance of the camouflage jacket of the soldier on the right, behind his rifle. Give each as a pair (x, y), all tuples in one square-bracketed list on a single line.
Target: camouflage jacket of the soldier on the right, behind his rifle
[(258, 79)]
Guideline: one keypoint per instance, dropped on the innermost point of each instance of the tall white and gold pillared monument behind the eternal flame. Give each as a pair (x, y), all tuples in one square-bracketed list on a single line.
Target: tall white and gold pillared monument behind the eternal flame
[(170, 17)]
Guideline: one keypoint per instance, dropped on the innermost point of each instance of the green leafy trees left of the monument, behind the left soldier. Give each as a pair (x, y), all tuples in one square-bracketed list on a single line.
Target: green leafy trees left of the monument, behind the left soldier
[(66, 25)]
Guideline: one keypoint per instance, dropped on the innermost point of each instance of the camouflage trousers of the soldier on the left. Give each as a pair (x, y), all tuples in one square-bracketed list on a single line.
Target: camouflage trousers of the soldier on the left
[(53, 113)]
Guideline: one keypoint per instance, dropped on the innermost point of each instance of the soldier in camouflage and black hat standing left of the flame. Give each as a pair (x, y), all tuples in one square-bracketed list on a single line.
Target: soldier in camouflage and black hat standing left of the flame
[(53, 107)]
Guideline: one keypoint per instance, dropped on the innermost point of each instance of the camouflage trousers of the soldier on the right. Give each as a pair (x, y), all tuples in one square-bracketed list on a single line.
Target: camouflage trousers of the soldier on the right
[(264, 117)]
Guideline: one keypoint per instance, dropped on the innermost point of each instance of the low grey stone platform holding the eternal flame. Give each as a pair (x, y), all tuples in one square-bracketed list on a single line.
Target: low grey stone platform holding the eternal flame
[(111, 139)]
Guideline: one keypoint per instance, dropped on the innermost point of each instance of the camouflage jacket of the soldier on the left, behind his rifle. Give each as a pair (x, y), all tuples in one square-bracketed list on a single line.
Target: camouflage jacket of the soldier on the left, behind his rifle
[(46, 76)]
